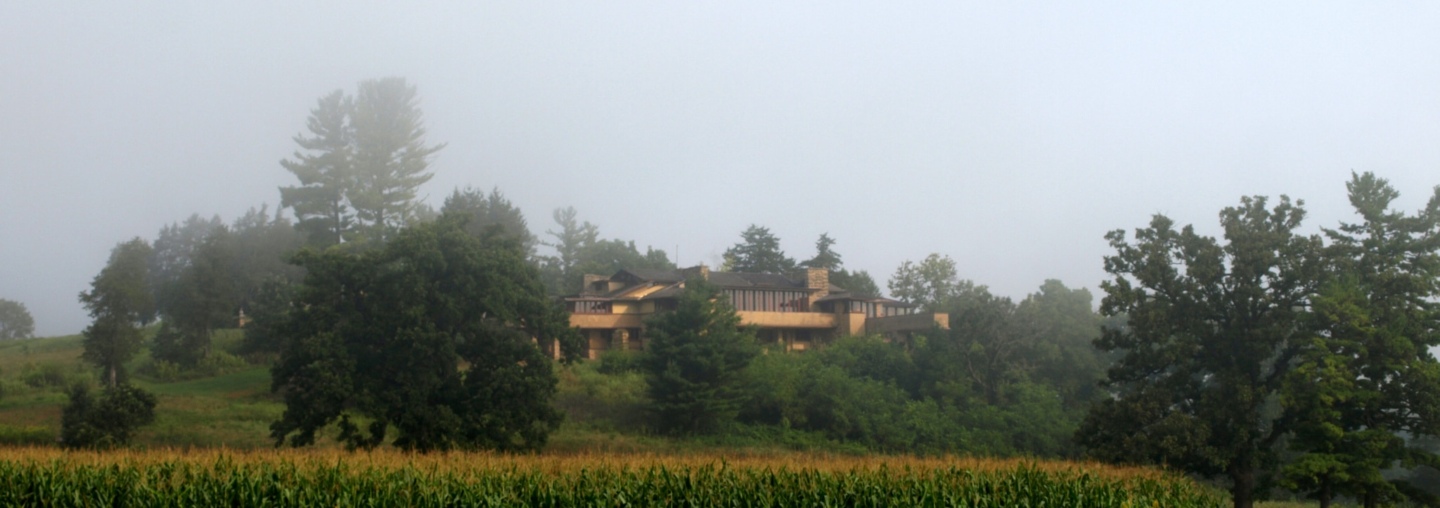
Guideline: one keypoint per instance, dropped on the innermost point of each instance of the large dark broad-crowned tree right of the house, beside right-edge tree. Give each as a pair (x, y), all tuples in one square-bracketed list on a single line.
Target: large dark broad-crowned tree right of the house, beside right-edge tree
[(1213, 332)]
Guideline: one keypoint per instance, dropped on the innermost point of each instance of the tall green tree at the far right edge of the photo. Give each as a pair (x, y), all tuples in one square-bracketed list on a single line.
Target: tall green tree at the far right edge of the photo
[(1370, 375)]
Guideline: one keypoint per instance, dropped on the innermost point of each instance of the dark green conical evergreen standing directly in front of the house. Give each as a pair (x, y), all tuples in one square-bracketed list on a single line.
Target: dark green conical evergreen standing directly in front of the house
[(693, 362)]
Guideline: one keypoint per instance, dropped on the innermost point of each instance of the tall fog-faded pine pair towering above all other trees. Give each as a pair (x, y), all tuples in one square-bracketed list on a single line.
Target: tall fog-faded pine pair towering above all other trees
[(362, 168)]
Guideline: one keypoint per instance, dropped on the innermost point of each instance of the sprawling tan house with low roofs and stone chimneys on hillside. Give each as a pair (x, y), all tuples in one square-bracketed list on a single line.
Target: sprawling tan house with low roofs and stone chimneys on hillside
[(796, 313)]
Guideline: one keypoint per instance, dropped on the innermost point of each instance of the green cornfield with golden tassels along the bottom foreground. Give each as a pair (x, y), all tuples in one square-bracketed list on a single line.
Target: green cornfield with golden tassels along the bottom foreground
[(215, 478)]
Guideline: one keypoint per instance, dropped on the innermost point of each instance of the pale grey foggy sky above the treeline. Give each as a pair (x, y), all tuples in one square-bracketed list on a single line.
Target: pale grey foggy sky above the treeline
[(1006, 135)]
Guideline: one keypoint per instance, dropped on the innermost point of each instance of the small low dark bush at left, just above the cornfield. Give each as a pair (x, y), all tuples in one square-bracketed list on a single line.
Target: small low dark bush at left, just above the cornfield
[(107, 422)]
